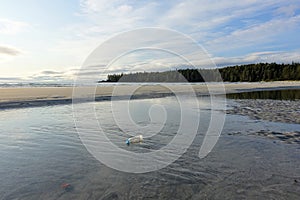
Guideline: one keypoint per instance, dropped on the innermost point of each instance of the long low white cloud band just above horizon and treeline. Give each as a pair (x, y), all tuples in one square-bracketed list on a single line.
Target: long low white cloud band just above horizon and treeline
[(159, 64)]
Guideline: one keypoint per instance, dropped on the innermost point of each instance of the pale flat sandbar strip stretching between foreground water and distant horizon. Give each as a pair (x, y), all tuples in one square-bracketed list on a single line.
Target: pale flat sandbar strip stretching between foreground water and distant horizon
[(22, 97)]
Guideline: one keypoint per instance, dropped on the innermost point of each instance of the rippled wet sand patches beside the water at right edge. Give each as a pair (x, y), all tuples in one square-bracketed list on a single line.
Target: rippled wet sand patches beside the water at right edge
[(283, 111)]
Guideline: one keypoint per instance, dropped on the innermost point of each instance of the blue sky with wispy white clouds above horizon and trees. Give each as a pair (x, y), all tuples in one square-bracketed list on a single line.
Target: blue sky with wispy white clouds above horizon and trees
[(49, 41)]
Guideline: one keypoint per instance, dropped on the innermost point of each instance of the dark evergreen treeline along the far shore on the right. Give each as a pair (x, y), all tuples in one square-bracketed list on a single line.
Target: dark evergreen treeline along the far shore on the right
[(239, 73)]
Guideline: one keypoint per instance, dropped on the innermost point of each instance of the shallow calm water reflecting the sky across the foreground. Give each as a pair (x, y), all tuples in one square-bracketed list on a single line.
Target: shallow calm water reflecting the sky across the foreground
[(40, 150)]
